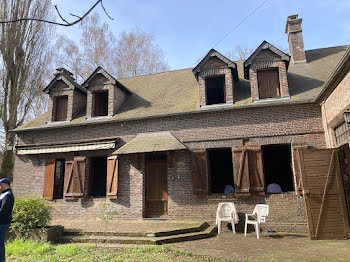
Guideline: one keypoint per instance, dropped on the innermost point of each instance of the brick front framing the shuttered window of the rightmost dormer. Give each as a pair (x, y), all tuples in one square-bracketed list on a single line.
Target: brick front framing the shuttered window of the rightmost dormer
[(267, 59)]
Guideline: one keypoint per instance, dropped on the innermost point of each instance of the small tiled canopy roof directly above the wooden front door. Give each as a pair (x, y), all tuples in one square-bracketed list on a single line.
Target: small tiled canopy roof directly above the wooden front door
[(151, 142)]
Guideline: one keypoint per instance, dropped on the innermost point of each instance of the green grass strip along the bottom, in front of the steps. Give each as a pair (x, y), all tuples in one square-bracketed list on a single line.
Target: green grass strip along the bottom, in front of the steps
[(19, 250)]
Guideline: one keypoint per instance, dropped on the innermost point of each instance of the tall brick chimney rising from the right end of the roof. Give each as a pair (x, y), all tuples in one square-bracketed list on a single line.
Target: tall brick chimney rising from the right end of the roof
[(295, 39)]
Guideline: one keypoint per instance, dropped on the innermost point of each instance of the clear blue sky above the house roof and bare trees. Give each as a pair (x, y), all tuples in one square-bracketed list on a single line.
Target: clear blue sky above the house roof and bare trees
[(187, 29)]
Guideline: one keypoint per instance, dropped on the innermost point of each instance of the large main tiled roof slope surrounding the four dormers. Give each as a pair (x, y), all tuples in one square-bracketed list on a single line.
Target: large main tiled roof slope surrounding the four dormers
[(177, 91)]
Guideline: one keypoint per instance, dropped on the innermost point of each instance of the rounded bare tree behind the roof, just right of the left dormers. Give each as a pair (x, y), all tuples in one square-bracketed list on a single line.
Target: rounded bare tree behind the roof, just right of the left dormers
[(138, 54)]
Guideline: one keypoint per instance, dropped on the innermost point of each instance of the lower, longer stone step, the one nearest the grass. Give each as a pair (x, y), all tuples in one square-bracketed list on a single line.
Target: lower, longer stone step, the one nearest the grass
[(148, 240)]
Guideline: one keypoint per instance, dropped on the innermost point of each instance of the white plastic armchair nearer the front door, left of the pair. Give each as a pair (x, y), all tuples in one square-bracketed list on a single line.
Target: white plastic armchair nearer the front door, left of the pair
[(226, 212)]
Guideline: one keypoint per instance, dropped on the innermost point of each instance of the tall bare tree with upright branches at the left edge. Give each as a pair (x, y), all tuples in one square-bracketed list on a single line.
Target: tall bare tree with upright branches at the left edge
[(24, 56)]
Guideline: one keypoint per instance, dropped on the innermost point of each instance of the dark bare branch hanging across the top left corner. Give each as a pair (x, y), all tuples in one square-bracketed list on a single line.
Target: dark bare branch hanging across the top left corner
[(66, 23)]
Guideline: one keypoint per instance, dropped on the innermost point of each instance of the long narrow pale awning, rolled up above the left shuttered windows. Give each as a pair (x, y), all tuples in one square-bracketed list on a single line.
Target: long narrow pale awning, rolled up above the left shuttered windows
[(34, 150)]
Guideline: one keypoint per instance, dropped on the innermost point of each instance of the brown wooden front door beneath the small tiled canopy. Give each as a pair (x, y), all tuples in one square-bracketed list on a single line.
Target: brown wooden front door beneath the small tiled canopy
[(156, 186)]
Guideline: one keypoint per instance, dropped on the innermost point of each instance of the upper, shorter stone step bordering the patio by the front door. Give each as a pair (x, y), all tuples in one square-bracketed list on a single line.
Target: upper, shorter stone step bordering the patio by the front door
[(72, 232)]
